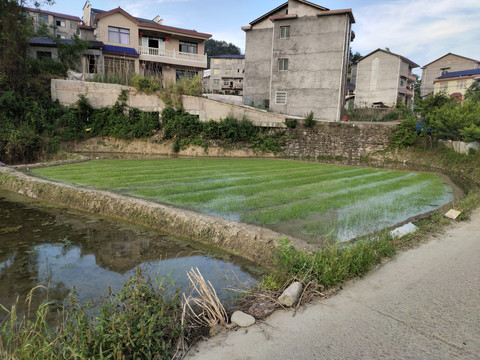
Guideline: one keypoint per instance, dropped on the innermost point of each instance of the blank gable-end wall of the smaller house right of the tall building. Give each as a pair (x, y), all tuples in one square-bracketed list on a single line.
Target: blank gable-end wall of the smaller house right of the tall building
[(377, 79)]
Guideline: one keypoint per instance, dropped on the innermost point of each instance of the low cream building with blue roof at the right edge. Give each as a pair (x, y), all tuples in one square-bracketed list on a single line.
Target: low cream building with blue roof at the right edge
[(456, 83)]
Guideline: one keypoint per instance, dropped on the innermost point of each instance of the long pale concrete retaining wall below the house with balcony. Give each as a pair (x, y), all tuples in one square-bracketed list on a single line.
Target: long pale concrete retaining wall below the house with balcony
[(105, 95)]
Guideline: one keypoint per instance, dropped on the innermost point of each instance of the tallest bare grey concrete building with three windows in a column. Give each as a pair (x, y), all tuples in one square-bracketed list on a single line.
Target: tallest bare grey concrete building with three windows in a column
[(296, 60)]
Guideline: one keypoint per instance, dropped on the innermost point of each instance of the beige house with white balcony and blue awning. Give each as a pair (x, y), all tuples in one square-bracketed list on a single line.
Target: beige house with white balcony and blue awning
[(146, 47)]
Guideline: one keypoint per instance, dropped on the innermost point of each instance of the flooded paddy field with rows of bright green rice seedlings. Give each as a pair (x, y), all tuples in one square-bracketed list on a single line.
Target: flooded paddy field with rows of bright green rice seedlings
[(311, 201)]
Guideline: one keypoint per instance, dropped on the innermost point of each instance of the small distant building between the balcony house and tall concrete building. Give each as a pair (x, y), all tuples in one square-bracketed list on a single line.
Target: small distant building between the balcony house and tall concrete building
[(226, 74)]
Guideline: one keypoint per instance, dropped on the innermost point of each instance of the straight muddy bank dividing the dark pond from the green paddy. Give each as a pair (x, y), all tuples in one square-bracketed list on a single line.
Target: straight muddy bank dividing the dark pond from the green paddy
[(251, 242)]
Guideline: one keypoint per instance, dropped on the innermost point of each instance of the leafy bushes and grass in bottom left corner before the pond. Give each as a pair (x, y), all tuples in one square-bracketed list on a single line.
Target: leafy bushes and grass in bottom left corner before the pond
[(142, 322)]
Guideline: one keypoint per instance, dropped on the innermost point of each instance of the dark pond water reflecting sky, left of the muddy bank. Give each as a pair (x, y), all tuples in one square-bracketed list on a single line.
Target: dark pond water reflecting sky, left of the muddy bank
[(59, 248)]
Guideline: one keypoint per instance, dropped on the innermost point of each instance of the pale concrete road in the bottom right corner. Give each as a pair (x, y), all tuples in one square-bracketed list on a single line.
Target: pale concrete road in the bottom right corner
[(424, 304)]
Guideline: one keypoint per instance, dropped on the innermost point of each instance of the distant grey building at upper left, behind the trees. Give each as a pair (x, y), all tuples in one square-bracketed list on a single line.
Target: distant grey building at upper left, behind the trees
[(61, 26)]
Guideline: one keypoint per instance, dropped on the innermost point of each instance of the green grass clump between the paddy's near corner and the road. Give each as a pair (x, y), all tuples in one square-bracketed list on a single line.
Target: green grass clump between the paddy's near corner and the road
[(330, 265)]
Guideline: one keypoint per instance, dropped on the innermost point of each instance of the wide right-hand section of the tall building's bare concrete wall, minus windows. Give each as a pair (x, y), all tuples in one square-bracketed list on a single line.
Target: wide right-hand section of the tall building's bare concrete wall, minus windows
[(315, 53)]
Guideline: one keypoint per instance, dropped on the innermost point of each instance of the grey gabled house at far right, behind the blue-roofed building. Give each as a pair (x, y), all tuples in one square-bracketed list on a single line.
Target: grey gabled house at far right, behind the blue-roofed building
[(445, 64)]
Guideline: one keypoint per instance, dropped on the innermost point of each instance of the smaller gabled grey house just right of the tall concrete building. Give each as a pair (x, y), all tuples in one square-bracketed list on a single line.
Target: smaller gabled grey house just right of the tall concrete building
[(384, 78)]
